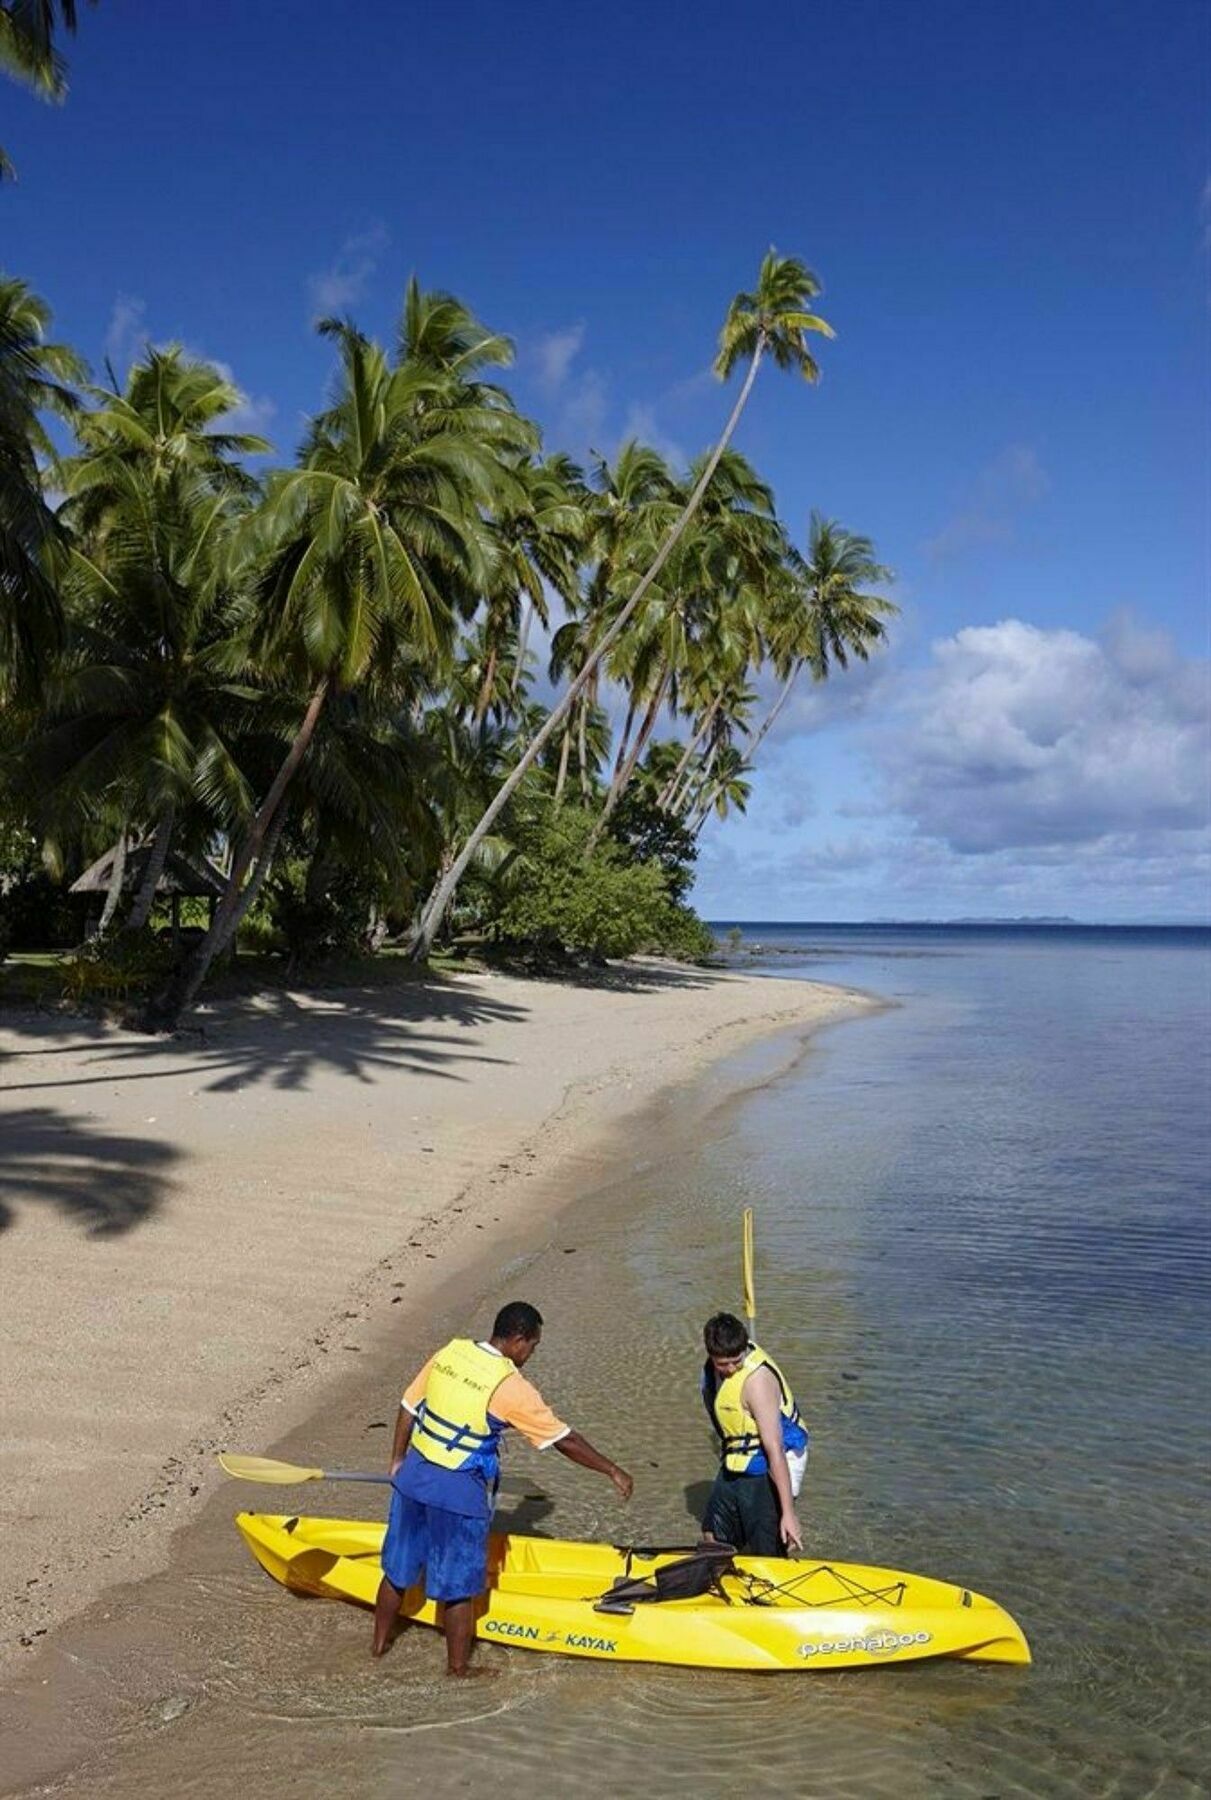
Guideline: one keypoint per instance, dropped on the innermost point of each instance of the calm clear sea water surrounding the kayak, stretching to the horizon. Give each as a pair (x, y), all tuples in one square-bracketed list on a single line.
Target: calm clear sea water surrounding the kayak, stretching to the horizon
[(983, 1257)]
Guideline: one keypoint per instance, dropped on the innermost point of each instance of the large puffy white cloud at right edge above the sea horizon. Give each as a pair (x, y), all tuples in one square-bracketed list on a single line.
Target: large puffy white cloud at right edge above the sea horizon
[(1027, 739)]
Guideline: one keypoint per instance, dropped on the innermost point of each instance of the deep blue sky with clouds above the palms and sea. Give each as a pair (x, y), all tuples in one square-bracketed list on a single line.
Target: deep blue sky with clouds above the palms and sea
[(1010, 210)]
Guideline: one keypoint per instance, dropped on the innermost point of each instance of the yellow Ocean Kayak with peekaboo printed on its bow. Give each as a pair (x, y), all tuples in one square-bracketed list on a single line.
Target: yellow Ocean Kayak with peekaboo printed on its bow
[(598, 1601)]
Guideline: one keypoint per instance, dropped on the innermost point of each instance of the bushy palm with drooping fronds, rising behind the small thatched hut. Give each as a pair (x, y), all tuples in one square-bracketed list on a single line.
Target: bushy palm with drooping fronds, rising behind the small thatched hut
[(143, 712)]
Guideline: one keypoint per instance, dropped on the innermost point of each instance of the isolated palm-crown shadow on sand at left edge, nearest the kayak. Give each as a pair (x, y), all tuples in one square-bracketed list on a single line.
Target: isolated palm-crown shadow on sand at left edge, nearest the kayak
[(102, 1180)]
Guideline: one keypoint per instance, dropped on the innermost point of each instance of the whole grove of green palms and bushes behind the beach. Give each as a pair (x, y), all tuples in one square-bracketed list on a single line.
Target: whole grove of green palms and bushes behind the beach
[(435, 681)]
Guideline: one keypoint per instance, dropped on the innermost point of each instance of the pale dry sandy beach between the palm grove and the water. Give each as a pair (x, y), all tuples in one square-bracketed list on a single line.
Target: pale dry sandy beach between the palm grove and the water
[(201, 1234)]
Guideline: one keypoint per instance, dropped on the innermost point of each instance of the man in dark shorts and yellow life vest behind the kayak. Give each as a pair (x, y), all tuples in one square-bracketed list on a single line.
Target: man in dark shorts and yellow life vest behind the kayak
[(764, 1444)]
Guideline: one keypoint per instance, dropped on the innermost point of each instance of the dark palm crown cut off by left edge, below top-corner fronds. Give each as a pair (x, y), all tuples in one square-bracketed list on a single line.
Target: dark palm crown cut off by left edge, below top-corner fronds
[(35, 377)]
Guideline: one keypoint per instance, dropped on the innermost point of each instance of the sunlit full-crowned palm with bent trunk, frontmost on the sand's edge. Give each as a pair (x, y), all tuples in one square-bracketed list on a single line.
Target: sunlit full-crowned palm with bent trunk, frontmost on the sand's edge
[(370, 552)]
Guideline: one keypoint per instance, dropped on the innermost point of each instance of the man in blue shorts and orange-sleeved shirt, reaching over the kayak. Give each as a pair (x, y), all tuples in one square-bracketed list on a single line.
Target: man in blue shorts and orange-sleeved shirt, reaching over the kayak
[(445, 1464)]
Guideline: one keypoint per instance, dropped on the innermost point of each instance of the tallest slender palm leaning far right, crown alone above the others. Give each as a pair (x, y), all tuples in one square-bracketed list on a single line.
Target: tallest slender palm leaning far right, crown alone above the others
[(775, 321)]
